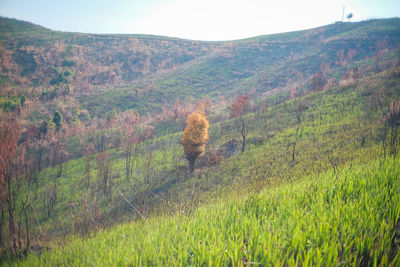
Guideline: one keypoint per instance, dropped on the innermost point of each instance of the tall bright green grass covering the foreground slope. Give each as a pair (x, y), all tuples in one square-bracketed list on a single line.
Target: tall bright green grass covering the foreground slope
[(329, 220)]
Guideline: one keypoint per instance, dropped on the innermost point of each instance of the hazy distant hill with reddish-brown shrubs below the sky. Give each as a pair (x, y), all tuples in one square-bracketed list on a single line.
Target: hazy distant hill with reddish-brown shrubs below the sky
[(144, 72)]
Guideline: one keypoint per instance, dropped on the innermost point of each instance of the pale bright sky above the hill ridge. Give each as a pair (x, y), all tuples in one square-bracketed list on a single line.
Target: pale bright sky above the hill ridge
[(193, 19)]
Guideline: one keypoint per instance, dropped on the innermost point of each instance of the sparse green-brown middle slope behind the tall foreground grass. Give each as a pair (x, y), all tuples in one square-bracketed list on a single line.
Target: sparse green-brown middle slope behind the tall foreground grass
[(331, 128)]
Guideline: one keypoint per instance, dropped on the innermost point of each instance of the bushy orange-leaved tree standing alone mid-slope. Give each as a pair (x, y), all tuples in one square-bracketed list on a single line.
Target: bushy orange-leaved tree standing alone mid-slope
[(195, 136)]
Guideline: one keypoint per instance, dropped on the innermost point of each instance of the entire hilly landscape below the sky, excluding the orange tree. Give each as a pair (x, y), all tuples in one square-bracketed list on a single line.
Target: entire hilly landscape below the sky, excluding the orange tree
[(93, 171)]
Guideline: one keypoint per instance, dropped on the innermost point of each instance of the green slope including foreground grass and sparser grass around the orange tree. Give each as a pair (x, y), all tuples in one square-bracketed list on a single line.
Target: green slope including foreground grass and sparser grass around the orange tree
[(216, 215)]
